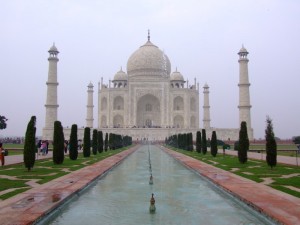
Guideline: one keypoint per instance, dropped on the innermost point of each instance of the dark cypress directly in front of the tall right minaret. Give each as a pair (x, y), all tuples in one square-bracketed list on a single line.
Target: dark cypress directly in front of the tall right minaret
[(243, 143)]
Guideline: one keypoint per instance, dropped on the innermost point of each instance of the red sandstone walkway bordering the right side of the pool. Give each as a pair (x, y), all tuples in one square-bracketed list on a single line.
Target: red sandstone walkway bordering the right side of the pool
[(277, 205)]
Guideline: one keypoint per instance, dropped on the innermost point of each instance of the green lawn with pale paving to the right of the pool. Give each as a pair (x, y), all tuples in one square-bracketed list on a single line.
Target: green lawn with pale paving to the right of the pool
[(255, 170)]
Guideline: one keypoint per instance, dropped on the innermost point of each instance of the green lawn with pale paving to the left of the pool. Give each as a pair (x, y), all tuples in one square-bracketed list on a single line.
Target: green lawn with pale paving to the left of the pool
[(45, 171)]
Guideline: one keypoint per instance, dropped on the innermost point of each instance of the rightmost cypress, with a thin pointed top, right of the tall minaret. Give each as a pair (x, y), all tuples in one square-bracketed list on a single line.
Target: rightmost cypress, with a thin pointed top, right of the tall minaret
[(271, 145)]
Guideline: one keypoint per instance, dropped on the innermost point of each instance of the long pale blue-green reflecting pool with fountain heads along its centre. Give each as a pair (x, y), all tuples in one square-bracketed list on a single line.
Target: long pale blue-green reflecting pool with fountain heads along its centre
[(122, 196)]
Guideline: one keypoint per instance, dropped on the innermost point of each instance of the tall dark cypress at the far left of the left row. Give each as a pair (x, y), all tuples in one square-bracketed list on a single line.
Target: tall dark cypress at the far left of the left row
[(29, 146)]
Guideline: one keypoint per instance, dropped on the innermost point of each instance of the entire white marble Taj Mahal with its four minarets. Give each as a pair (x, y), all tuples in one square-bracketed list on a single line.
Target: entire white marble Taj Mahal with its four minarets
[(149, 102)]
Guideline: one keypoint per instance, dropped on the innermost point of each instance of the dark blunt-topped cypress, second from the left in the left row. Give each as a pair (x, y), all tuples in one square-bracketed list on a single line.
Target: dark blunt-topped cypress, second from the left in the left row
[(58, 143)]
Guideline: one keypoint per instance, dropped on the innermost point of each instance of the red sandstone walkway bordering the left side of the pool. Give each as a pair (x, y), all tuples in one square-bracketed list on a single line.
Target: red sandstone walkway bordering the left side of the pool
[(32, 205)]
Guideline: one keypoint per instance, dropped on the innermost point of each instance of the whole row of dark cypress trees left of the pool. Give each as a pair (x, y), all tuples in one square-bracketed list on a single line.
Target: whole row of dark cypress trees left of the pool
[(97, 144)]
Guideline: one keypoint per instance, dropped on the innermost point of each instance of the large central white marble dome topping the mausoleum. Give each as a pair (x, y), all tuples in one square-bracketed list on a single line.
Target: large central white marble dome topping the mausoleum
[(148, 60)]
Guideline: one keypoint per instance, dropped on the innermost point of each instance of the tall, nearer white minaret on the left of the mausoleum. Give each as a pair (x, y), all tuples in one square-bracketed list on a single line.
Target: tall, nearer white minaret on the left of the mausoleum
[(51, 101)]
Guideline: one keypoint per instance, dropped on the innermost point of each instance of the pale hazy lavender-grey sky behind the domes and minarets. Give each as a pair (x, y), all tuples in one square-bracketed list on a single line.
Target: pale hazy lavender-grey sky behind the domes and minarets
[(201, 38)]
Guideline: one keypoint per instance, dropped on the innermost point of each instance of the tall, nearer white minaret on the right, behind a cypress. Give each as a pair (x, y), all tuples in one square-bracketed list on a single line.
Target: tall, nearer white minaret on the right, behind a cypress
[(244, 94)]
